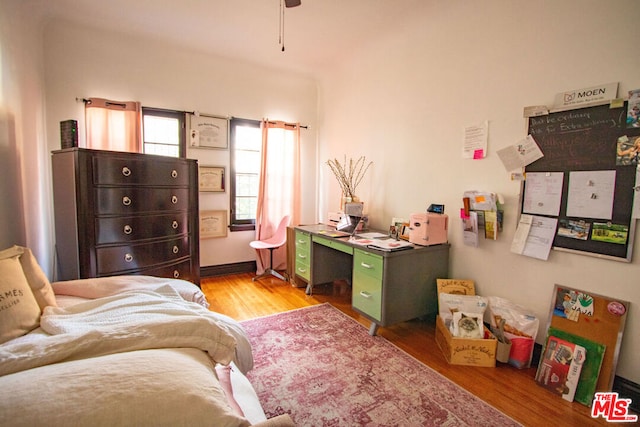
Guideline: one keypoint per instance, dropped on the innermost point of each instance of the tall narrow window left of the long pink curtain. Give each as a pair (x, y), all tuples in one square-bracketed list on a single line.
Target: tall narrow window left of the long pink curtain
[(245, 147)]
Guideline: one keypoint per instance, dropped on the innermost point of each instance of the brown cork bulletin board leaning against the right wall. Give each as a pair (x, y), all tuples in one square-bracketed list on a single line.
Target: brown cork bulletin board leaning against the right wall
[(595, 317)]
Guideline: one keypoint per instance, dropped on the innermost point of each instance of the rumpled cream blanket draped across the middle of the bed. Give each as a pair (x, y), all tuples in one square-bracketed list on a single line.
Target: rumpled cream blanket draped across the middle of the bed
[(129, 321)]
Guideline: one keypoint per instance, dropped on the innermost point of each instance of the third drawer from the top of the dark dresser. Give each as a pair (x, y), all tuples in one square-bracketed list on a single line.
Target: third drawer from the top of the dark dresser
[(132, 228)]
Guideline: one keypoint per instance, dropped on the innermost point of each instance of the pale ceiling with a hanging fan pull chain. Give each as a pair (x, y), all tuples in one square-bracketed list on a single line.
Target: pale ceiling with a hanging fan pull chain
[(318, 34)]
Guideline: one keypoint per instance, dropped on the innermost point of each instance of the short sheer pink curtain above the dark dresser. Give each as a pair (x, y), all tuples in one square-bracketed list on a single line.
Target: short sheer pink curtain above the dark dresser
[(113, 125)]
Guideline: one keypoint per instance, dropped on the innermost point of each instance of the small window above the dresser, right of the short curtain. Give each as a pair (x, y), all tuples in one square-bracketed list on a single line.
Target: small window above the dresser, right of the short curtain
[(163, 132)]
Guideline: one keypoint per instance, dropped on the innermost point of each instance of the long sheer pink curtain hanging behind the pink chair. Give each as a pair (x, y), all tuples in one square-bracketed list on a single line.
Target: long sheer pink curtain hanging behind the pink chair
[(279, 186)]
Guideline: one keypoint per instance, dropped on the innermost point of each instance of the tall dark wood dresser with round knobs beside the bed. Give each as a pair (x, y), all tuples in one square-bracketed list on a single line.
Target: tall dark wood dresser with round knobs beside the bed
[(125, 213)]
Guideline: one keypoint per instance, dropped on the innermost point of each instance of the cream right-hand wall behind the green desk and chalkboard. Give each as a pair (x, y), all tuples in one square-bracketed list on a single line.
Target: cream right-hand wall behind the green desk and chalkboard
[(405, 100)]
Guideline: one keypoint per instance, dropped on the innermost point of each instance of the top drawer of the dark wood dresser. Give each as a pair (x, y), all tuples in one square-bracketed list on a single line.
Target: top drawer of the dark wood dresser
[(132, 171)]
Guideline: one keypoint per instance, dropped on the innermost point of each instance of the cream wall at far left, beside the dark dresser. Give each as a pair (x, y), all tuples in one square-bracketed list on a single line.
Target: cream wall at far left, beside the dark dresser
[(25, 214)]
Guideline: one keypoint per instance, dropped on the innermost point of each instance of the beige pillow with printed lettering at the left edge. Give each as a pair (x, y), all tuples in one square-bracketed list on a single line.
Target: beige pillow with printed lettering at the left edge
[(19, 310)]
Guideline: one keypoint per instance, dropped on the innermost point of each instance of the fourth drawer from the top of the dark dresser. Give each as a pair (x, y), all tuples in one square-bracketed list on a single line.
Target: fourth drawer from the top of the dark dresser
[(134, 257)]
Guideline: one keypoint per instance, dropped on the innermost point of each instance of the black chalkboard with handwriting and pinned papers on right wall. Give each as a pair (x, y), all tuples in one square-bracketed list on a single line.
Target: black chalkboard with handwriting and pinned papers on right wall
[(587, 139)]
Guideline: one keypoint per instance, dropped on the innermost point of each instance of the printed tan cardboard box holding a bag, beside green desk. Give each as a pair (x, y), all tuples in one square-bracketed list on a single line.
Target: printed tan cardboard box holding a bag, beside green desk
[(464, 351)]
